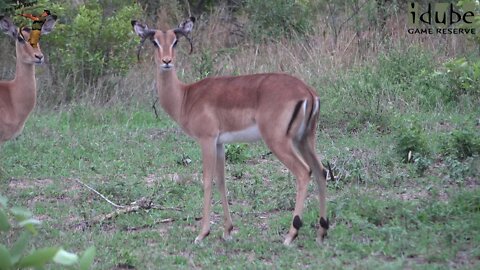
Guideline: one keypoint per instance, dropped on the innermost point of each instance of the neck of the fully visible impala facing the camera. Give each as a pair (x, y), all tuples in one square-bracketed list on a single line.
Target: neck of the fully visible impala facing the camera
[(170, 92)]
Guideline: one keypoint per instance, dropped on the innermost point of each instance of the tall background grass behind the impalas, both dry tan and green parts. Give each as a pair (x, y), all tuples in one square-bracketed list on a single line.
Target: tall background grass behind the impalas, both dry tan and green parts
[(223, 47)]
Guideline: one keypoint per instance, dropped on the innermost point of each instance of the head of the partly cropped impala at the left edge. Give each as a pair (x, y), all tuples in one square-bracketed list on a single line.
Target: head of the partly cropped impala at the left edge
[(27, 40)]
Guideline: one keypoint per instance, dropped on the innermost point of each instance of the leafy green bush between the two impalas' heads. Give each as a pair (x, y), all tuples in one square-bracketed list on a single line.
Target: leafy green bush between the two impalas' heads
[(89, 46)]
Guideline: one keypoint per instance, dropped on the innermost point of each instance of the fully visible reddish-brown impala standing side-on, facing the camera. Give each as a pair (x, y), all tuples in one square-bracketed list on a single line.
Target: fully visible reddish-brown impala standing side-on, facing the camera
[(278, 108)]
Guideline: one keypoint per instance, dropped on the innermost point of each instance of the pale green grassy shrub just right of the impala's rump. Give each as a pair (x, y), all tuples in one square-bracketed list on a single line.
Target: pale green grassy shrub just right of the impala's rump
[(399, 80)]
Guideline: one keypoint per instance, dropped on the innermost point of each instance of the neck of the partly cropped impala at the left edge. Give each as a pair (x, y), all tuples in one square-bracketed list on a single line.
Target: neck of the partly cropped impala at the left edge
[(25, 91)]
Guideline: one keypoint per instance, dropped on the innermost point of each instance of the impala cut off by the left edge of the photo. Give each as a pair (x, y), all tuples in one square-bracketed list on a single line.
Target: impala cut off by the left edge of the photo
[(17, 97)]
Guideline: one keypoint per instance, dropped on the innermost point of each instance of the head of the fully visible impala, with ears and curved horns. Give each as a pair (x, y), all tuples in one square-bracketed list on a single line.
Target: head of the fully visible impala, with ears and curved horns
[(164, 41)]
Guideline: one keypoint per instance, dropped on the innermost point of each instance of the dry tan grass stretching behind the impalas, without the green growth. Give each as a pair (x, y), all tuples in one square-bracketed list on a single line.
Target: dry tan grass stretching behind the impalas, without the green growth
[(221, 44)]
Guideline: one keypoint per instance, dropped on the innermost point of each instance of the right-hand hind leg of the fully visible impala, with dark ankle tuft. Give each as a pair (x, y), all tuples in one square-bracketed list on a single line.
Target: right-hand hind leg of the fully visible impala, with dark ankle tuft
[(307, 150)]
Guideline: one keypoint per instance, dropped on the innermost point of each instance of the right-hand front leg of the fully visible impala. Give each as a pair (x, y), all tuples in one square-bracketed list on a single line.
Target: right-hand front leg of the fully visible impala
[(220, 177)]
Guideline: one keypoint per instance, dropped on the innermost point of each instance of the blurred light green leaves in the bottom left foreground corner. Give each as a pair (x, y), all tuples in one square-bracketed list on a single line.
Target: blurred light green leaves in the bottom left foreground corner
[(17, 256)]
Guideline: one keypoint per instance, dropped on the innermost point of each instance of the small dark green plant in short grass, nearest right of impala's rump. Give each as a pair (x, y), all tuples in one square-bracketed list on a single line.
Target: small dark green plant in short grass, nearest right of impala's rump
[(411, 140)]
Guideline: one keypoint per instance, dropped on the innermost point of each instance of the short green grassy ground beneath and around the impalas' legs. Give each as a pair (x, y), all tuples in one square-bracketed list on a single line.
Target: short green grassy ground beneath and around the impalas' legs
[(385, 214)]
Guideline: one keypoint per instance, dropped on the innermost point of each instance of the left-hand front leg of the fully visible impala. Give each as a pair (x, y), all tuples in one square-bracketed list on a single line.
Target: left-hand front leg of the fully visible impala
[(209, 153)]
